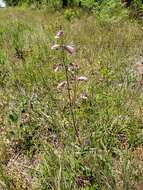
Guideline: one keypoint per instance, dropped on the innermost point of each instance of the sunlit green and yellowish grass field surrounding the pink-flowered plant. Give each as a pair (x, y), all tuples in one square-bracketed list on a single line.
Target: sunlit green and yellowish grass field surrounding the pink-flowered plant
[(38, 148)]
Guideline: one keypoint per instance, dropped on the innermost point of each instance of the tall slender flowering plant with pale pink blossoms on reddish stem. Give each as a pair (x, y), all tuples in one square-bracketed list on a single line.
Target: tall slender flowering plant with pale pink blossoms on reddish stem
[(69, 70)]
